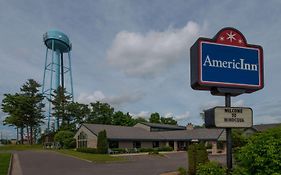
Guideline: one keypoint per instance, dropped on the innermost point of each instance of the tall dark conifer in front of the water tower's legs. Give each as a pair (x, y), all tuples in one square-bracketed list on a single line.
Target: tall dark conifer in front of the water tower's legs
[(60, 101)]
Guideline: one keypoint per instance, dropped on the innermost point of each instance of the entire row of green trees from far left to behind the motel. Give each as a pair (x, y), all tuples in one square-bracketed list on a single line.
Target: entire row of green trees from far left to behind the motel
[(25, 111)]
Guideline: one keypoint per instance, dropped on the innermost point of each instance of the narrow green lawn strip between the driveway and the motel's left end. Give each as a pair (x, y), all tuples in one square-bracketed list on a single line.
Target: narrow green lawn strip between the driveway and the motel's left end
[(98, 158)]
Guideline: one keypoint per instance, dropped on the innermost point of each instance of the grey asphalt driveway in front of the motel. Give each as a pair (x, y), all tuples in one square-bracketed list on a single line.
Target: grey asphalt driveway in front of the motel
[(50, 163)]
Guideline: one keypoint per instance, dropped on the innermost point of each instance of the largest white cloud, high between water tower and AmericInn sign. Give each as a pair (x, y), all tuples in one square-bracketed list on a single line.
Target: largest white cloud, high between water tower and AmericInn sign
[(146, 55)]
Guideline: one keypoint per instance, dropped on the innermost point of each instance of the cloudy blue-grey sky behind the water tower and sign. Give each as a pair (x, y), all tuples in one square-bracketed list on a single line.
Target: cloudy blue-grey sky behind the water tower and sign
[(135, 55)]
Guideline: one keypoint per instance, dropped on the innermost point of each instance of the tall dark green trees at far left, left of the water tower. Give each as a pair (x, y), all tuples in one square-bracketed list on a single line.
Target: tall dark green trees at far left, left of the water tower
[(25, 108)]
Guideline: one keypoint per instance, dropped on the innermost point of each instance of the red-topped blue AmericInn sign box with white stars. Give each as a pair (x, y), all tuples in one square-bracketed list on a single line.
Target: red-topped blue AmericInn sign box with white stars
[(226, 61)]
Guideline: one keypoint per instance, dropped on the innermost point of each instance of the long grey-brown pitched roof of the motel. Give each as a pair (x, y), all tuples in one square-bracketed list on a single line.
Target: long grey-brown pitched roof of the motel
[(134, 133)]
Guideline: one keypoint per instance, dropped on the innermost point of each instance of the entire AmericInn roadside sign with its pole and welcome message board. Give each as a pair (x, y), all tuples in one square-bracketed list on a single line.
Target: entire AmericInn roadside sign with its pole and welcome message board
[(227, 66)]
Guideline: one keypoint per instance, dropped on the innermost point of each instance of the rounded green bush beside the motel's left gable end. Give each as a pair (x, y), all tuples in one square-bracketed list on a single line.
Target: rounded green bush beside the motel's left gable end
[(65, 138)]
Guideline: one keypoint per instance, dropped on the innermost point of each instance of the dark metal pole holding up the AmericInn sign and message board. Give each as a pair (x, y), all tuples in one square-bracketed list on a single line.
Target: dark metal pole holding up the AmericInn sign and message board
[(228, 138)]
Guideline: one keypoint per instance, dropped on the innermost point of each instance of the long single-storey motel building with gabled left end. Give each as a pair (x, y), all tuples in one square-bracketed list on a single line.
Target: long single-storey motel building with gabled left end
[(151, 135)]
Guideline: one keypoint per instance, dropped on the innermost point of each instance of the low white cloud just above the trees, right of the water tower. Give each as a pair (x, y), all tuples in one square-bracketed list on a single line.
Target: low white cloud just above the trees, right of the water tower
[(124, 98)]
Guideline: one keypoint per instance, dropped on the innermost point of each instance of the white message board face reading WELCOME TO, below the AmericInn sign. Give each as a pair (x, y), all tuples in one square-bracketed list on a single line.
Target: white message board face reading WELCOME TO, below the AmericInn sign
[(233, 117)]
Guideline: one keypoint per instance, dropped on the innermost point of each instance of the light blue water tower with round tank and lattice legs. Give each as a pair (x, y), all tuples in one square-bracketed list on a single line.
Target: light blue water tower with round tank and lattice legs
[(57, 71)]
